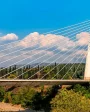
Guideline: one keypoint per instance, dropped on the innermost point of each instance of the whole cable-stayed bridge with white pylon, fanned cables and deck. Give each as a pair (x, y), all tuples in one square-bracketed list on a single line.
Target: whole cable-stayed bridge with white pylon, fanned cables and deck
[(60, 56)]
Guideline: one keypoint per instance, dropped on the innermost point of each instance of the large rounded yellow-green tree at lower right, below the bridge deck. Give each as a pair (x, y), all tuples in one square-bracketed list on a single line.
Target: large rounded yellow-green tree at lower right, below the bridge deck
[(69, 101)]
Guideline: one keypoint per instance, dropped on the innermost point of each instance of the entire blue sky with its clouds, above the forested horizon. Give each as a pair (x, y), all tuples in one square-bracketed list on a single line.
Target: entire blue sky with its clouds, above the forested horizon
[(29, 19)]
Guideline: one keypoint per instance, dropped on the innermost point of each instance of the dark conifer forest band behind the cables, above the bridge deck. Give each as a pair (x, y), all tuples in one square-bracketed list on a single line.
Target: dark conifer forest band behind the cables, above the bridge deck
[(40, 71)]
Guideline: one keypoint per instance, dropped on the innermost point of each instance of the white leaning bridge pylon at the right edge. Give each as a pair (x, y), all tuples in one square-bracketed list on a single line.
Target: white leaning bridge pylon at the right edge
[(87, 67)]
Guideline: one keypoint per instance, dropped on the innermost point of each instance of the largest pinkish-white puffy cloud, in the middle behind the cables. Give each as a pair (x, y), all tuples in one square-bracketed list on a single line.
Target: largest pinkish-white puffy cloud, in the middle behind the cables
[(49, 40)]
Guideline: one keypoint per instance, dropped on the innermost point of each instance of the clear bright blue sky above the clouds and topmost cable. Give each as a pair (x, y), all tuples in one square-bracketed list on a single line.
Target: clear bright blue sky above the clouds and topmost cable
[(25, 16)]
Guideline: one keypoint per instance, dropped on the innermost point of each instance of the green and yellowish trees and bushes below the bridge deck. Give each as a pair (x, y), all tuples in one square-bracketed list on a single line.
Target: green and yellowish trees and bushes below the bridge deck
[(53, 99)]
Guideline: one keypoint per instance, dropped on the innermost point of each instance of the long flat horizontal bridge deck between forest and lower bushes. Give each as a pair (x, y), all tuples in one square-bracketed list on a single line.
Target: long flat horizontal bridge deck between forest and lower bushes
[(34, 82)]
